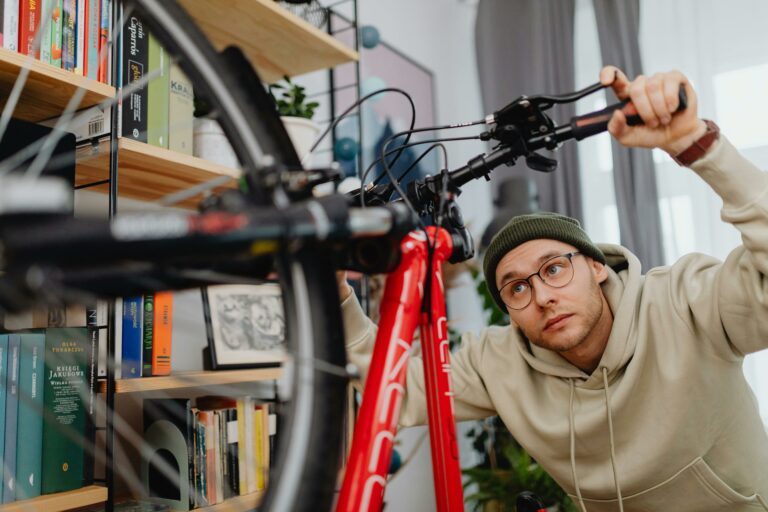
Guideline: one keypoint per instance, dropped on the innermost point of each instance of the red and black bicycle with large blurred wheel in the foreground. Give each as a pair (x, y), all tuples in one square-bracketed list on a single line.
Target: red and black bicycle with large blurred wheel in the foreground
[(273, 223)]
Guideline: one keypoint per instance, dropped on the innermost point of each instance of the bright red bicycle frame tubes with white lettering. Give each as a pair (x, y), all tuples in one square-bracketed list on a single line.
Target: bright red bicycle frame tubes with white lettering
[(373, 440)]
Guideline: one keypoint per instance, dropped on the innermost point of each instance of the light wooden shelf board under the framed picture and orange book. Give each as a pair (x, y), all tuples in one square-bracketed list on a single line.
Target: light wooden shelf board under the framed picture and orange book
[(192, 379)]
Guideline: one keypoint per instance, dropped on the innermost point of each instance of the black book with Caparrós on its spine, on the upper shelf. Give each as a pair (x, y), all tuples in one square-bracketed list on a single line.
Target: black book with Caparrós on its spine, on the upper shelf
[(135, 56)]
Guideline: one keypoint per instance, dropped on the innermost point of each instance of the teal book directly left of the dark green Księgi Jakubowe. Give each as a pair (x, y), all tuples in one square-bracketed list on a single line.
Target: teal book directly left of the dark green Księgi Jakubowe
[(30, 421)]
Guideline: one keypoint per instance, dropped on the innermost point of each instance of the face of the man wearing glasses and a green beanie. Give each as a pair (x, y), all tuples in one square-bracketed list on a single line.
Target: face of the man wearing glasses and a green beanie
[(558, 319)]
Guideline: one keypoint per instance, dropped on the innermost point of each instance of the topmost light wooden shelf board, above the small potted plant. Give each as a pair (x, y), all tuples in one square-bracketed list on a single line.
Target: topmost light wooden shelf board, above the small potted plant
[(276, 41)]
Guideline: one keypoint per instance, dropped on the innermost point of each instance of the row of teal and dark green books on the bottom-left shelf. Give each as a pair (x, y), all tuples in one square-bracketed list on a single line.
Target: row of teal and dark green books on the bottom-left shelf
[(46, 411)]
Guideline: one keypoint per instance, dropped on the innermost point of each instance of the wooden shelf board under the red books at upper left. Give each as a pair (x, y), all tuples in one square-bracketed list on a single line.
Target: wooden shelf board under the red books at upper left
[(48, 89)]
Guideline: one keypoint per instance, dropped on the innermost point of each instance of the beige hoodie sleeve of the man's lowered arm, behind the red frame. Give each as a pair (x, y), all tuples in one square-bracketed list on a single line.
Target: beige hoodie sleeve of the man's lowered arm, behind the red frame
[(471, 400)]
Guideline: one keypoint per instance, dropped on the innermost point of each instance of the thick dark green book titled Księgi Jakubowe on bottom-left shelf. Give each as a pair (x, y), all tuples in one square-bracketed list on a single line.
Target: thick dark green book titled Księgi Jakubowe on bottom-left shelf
[(65, 386)]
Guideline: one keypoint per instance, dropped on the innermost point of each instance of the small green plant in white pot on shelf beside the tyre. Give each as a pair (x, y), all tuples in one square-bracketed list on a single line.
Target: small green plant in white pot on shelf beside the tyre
[(296, 114)]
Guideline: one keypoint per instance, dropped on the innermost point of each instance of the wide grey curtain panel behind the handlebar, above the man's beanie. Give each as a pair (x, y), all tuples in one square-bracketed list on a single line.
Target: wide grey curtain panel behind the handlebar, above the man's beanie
[(526, 47)]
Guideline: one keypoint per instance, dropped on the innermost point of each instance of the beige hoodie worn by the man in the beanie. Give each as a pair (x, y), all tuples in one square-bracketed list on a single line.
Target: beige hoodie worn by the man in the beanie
[(677, 413)]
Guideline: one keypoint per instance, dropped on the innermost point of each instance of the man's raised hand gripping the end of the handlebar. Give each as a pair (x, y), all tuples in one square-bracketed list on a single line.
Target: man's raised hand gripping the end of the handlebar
[(656, 99)]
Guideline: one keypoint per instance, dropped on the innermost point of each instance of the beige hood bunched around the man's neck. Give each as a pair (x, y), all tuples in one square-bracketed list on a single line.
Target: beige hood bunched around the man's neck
[(622, 292)]
